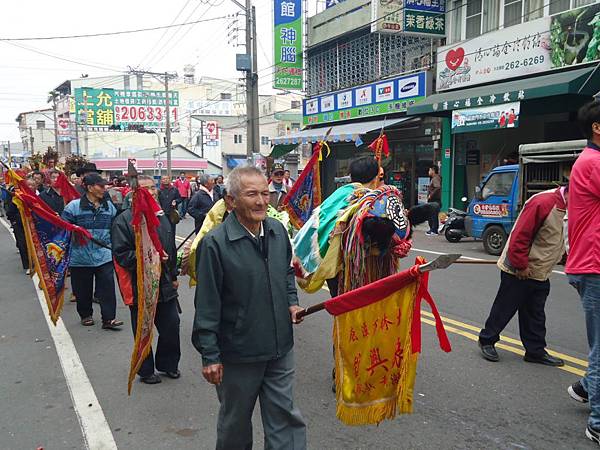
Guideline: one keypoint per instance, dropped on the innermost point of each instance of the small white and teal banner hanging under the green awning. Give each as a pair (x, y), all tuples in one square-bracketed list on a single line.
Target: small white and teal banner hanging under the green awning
[(486, 118)]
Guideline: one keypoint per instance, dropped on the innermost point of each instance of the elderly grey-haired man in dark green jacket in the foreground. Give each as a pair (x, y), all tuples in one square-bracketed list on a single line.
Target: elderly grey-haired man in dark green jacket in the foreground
[(246, 302)]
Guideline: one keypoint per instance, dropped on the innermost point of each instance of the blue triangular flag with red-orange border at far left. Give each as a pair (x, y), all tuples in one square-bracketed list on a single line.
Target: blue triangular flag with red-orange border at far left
[(48, 242)]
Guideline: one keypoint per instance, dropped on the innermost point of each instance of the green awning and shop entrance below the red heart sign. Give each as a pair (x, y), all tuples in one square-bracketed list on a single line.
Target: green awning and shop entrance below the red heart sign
[(483, 127)]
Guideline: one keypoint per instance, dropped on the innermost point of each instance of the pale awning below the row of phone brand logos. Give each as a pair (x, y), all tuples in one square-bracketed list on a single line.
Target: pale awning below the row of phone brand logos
[(347, 132)]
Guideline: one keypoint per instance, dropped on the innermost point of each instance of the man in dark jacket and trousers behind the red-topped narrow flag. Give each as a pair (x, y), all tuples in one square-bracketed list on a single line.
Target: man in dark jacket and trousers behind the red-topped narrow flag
[(167, 318)]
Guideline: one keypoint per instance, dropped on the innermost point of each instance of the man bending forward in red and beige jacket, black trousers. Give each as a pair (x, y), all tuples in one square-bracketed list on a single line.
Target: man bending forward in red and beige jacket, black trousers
[(535, 245)]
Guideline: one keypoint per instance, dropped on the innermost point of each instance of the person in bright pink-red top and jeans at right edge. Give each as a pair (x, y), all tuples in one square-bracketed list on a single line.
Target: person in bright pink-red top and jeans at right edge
[(583, 265)]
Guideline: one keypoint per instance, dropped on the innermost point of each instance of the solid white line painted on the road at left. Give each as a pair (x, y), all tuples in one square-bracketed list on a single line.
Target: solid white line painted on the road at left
[(95, 429)]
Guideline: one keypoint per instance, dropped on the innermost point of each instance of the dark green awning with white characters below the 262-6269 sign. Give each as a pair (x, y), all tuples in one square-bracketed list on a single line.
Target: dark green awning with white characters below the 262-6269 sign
[(559, 83)]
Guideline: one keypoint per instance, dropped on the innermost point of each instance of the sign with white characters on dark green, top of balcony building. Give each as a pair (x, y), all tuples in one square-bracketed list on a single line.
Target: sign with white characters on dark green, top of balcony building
[(422, 17)]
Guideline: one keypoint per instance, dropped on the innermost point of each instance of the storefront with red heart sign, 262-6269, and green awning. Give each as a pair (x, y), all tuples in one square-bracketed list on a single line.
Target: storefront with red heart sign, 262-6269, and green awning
[(552, 65)]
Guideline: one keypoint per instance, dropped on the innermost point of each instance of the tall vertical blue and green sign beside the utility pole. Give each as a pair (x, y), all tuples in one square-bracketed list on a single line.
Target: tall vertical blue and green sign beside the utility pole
[(287, 44)]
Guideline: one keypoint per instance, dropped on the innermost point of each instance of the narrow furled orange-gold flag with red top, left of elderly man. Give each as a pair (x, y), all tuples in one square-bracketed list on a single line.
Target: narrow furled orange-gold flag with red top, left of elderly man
[(148, 251)]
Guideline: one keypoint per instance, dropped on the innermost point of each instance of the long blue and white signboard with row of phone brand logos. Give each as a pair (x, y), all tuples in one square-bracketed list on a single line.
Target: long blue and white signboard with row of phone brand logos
[(384, 97)]
